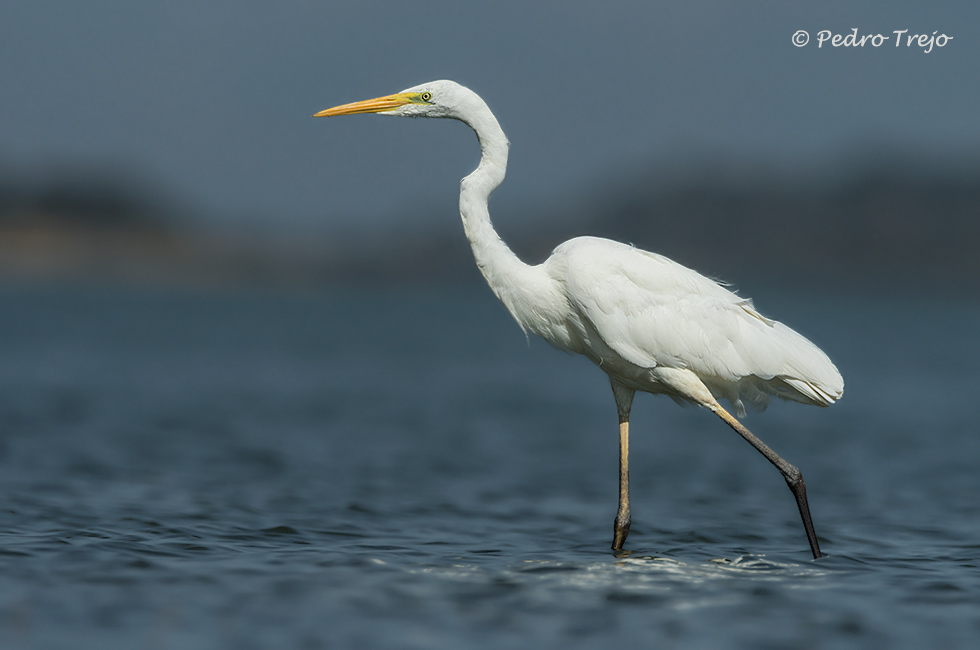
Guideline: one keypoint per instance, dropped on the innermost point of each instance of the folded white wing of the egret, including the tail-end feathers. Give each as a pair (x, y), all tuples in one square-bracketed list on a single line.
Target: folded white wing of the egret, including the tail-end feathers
[(651, 312)]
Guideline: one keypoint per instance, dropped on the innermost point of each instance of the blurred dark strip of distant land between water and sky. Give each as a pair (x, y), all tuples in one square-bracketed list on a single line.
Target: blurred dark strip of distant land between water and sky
[(886, 220)]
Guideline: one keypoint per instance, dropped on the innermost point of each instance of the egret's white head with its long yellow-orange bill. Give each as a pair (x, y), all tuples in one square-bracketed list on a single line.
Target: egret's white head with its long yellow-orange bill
[(433, 99)]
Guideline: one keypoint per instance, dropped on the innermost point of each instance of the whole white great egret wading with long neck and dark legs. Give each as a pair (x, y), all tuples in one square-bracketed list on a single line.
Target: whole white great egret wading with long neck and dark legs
[(649, 323)]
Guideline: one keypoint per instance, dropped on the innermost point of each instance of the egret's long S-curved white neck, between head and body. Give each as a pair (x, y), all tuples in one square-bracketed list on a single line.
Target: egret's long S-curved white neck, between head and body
[(511, 279)]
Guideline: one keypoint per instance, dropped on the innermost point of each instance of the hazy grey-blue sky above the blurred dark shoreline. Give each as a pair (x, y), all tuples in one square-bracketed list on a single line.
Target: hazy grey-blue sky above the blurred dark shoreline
[(210, 102)]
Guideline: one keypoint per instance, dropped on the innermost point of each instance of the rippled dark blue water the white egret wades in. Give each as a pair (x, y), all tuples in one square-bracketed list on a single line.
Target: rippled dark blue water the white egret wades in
[(401, 470)]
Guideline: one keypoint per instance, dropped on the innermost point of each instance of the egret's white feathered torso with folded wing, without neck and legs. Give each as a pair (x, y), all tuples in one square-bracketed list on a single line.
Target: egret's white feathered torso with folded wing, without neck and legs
[(656, 326)]
